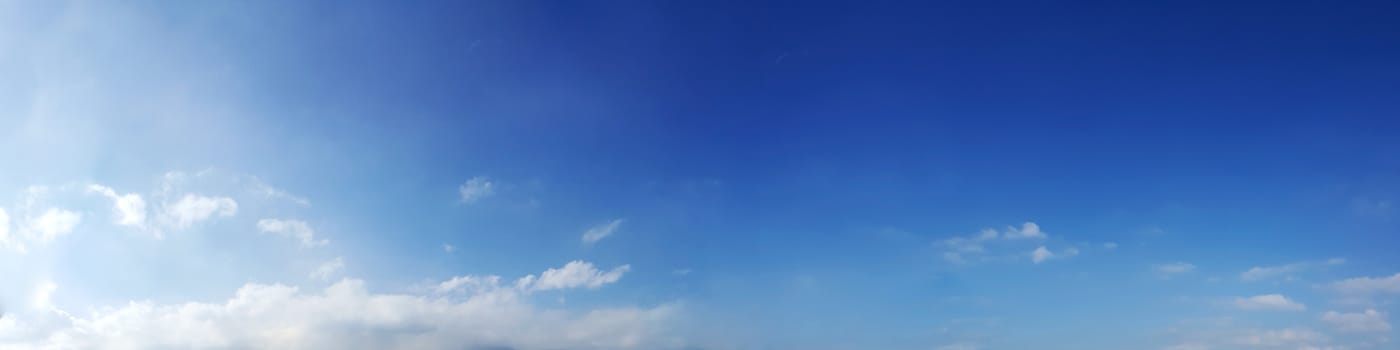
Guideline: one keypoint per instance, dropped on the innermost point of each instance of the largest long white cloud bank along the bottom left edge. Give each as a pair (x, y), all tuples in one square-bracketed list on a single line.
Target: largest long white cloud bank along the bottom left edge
[(346, 316)]
